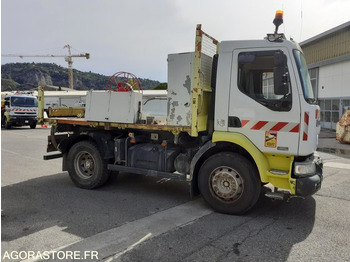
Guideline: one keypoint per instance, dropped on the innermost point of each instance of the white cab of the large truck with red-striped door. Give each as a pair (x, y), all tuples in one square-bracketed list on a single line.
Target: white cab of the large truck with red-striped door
[(272, 113)]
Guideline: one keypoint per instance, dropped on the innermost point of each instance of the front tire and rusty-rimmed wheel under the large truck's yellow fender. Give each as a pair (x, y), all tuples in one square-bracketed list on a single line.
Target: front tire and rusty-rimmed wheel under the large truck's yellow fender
[(229, 183)]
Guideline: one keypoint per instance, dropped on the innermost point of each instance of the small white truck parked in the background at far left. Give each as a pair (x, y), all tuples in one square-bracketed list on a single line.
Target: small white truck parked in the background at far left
[(19, 110)]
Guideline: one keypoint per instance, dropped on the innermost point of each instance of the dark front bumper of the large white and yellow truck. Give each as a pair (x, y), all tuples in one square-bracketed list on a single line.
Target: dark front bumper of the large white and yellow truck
[(310, 184)]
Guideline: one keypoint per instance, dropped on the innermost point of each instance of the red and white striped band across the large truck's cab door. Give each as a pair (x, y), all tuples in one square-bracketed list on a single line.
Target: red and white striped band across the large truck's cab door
[(271, 126)]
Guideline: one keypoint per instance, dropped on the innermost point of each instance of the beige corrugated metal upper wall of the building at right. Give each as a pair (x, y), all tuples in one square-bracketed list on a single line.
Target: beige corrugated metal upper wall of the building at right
[(328, 47)]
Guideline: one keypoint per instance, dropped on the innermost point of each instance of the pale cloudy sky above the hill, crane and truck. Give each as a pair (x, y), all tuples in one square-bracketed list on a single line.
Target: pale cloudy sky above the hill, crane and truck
[(136, 36)]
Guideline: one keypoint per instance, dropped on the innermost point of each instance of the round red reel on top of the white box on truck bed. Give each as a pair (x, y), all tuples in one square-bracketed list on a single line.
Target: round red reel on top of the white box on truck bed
[(123, 82)]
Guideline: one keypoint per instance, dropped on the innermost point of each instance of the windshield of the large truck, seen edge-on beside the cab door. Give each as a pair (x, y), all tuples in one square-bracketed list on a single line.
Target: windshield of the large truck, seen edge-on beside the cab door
[(304, 77)]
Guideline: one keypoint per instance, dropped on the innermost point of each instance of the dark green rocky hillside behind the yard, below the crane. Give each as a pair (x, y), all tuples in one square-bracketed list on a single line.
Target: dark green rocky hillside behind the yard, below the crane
[(26, 76)]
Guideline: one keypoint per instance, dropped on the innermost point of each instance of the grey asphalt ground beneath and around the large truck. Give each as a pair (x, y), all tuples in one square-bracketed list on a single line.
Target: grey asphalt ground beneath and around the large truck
[(136, 218)]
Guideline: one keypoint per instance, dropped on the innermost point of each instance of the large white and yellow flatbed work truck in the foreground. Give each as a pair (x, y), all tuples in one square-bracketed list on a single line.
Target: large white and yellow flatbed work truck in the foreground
[(240, 114)]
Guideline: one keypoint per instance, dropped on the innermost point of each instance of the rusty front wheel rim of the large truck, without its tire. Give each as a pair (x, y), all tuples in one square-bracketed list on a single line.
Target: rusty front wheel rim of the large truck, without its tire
[(226, 184)]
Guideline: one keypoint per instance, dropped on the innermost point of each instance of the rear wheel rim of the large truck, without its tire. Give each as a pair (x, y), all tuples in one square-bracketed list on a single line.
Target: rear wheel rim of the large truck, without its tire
[(84, 165)]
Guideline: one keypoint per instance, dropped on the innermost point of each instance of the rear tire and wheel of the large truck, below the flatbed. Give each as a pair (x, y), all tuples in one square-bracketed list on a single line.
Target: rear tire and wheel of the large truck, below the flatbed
[(86, 167)]
